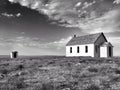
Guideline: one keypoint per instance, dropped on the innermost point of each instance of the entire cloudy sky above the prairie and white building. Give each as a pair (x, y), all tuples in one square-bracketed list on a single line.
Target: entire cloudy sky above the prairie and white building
[(43, 27)]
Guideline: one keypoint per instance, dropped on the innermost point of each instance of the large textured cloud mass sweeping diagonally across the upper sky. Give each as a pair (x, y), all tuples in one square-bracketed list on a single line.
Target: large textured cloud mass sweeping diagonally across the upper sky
[(88, 15)]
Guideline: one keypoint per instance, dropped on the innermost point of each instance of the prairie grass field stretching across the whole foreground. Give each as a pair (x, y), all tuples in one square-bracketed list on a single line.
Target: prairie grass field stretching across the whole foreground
[(59, 73)]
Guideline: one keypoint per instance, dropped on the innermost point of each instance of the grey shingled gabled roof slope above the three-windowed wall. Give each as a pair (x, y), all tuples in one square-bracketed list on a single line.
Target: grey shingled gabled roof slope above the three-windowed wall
[(87, 39)]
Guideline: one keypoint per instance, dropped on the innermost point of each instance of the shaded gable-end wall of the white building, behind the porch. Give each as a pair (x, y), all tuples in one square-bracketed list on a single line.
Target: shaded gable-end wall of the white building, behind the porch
[(99, 41)]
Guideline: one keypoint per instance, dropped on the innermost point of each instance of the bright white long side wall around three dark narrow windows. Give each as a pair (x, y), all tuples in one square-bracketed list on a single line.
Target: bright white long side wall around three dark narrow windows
[(81, 50)]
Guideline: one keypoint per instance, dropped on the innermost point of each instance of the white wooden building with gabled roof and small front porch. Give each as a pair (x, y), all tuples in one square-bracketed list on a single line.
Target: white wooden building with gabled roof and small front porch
[(94, 45)]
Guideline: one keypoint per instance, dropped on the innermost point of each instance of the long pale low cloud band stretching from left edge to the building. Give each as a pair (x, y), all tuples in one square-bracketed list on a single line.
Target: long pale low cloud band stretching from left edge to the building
[(23, 41)]
